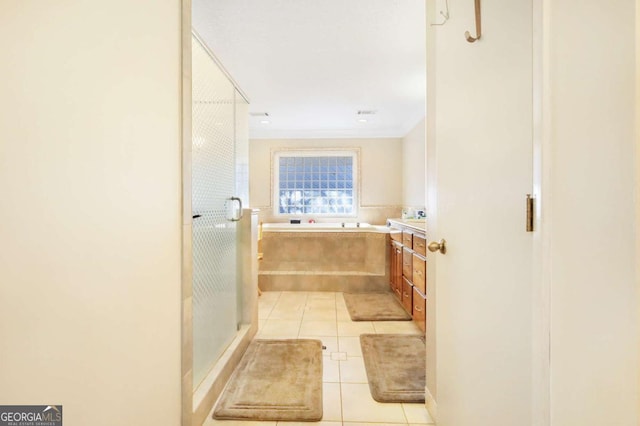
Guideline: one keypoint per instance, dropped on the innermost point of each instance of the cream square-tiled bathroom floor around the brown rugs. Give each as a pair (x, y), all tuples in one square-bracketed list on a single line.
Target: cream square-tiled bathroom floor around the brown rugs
[(346, 396)]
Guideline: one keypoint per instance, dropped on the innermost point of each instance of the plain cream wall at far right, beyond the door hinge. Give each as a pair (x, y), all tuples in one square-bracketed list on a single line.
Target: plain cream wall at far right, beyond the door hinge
[(591, 141)]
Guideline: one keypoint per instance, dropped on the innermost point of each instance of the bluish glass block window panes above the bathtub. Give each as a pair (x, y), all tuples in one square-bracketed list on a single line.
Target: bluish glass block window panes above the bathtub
[(315, 183)]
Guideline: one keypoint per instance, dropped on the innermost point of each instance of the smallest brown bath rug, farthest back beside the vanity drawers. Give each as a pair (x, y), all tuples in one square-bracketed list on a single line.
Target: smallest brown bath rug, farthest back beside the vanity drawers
[(375, 307)]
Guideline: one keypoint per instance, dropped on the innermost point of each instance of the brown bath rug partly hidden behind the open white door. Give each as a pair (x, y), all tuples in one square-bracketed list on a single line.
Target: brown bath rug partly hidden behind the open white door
[(395, 365)]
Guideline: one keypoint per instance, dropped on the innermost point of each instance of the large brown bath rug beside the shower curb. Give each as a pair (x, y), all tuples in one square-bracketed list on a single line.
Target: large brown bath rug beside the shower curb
[(275, 380)]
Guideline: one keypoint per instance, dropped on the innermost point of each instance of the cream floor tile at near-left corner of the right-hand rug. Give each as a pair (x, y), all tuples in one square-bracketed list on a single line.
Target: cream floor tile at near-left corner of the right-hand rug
[(359, 406)]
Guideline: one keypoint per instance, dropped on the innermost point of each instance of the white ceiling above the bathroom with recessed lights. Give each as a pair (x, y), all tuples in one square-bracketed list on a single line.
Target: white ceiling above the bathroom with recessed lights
[(313, 64)]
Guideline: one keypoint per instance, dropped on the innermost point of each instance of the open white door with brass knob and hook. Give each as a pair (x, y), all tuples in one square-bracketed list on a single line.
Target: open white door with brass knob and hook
[(480, 168)]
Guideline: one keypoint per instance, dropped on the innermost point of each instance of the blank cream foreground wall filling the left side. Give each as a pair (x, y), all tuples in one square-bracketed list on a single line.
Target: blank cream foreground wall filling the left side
[(90, 219)]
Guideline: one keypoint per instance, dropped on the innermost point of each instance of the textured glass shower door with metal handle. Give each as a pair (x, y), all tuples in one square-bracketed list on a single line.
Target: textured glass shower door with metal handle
[(215, 312)]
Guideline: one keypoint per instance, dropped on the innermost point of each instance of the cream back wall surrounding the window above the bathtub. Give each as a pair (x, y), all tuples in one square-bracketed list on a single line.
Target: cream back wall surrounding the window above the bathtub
[(380, 173)]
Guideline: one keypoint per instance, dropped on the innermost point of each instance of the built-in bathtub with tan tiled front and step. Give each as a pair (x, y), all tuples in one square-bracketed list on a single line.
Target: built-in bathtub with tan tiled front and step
[(324, 257)]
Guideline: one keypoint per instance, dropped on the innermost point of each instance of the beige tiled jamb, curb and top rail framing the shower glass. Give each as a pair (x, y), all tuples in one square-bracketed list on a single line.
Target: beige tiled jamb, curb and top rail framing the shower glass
[(196, 405)]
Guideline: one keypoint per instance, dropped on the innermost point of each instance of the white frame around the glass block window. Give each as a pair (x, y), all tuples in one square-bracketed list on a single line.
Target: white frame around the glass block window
[(278, 154)]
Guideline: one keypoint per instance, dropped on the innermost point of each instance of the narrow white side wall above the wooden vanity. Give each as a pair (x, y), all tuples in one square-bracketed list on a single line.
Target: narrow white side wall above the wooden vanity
[(413, 166)]
